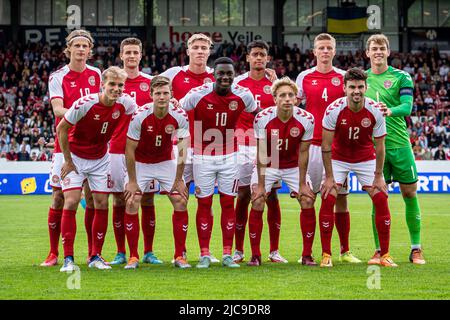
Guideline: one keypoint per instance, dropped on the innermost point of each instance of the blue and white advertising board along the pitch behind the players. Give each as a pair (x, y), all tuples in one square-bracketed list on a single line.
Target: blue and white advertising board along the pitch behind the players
[(33, 178)]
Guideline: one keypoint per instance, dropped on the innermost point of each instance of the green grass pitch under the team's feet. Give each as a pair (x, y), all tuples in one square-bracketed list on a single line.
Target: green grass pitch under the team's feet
[(24, 244)]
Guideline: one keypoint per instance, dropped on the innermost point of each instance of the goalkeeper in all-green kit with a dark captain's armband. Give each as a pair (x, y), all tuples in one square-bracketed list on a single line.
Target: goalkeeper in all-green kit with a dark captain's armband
[(393, 88)]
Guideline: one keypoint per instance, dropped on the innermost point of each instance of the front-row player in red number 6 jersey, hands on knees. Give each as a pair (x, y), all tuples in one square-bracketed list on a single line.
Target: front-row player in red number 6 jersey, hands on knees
[(150, 157)]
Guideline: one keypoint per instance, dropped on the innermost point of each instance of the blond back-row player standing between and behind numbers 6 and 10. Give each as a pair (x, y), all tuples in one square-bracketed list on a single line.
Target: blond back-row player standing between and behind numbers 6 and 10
[(186, 78)]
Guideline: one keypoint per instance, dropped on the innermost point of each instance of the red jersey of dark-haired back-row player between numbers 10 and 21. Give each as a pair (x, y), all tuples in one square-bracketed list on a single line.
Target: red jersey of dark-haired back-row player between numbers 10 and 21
[(261, 90)]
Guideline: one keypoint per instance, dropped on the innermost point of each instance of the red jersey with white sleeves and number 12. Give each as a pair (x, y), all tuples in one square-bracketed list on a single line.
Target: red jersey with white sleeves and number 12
[(354, 131)]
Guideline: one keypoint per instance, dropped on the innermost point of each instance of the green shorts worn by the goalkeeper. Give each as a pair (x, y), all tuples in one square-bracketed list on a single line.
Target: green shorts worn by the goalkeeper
[(399, 165)]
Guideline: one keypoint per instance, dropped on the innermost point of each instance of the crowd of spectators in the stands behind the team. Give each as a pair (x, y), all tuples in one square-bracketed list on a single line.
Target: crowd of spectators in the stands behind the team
[(27, 121)]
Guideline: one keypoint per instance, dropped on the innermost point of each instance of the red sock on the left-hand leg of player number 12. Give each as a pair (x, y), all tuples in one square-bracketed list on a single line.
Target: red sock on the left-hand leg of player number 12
[(326, 222)]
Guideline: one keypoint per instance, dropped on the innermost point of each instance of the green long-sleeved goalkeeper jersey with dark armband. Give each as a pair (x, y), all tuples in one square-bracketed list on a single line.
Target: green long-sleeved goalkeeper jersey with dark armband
[(395, 88)]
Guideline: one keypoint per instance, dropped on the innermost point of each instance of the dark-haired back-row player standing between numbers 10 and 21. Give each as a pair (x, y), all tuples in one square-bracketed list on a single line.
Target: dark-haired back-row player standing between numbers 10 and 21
[(258, 82)]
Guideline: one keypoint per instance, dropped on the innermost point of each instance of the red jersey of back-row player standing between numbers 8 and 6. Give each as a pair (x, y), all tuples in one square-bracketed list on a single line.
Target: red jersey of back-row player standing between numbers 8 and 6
[(139, 89)]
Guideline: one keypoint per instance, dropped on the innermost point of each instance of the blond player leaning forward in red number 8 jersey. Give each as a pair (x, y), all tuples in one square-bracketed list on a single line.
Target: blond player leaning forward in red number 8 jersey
[(93, 120)]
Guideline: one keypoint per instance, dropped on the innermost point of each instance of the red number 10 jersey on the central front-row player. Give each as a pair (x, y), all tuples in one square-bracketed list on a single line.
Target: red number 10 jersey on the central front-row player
[(216, 116)]
